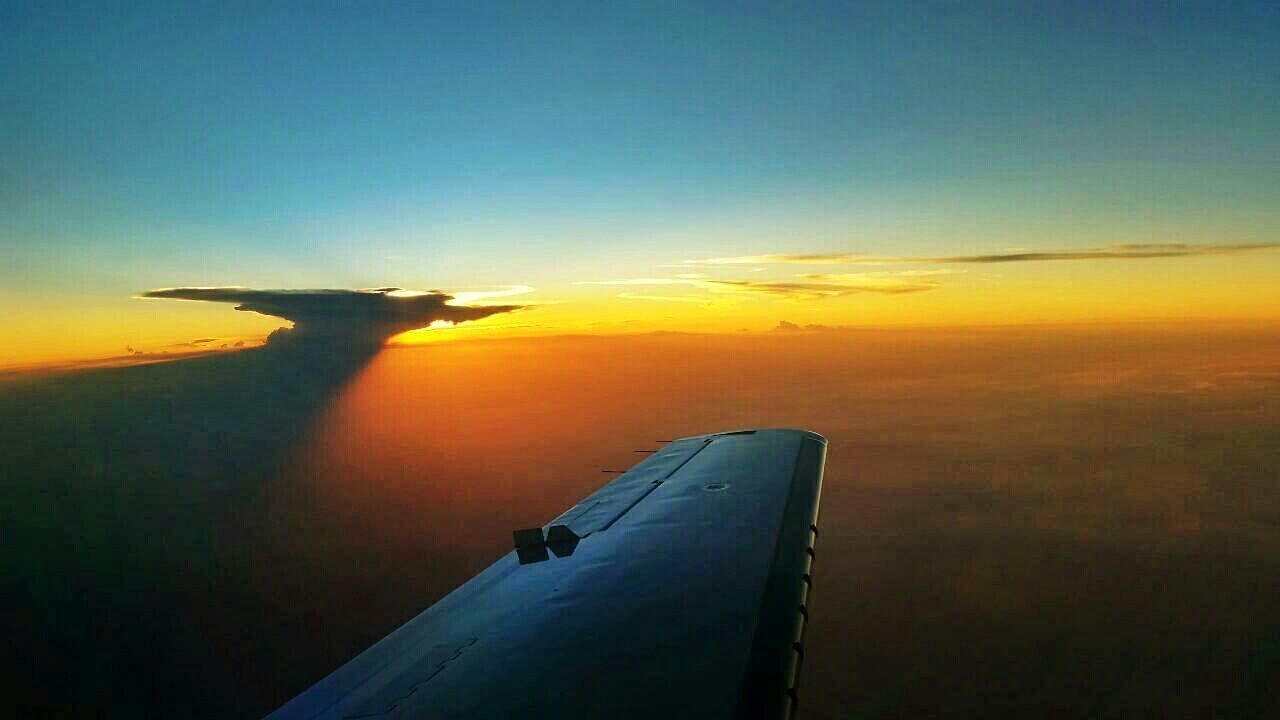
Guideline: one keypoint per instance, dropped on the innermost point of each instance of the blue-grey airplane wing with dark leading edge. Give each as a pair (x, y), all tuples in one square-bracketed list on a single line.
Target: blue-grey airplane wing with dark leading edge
[(678, 590)]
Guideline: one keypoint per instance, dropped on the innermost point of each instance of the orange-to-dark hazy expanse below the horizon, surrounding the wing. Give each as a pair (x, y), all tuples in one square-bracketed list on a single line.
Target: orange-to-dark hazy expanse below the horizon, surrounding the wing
[(1077, 522)]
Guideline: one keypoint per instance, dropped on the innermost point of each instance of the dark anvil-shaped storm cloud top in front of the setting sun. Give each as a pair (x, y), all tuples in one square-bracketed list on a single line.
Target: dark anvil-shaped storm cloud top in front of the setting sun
[(349, 316)]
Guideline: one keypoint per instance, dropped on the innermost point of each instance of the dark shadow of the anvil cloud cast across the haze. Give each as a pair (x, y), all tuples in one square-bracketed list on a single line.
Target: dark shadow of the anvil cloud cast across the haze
[(121, 487)]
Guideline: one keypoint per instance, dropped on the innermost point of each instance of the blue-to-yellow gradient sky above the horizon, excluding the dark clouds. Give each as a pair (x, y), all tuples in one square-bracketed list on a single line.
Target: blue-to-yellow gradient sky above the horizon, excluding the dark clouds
[(473, 148)]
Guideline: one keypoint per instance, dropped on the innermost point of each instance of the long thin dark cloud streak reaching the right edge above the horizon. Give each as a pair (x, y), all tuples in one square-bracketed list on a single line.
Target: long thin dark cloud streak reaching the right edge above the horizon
[(1132, 252)]
